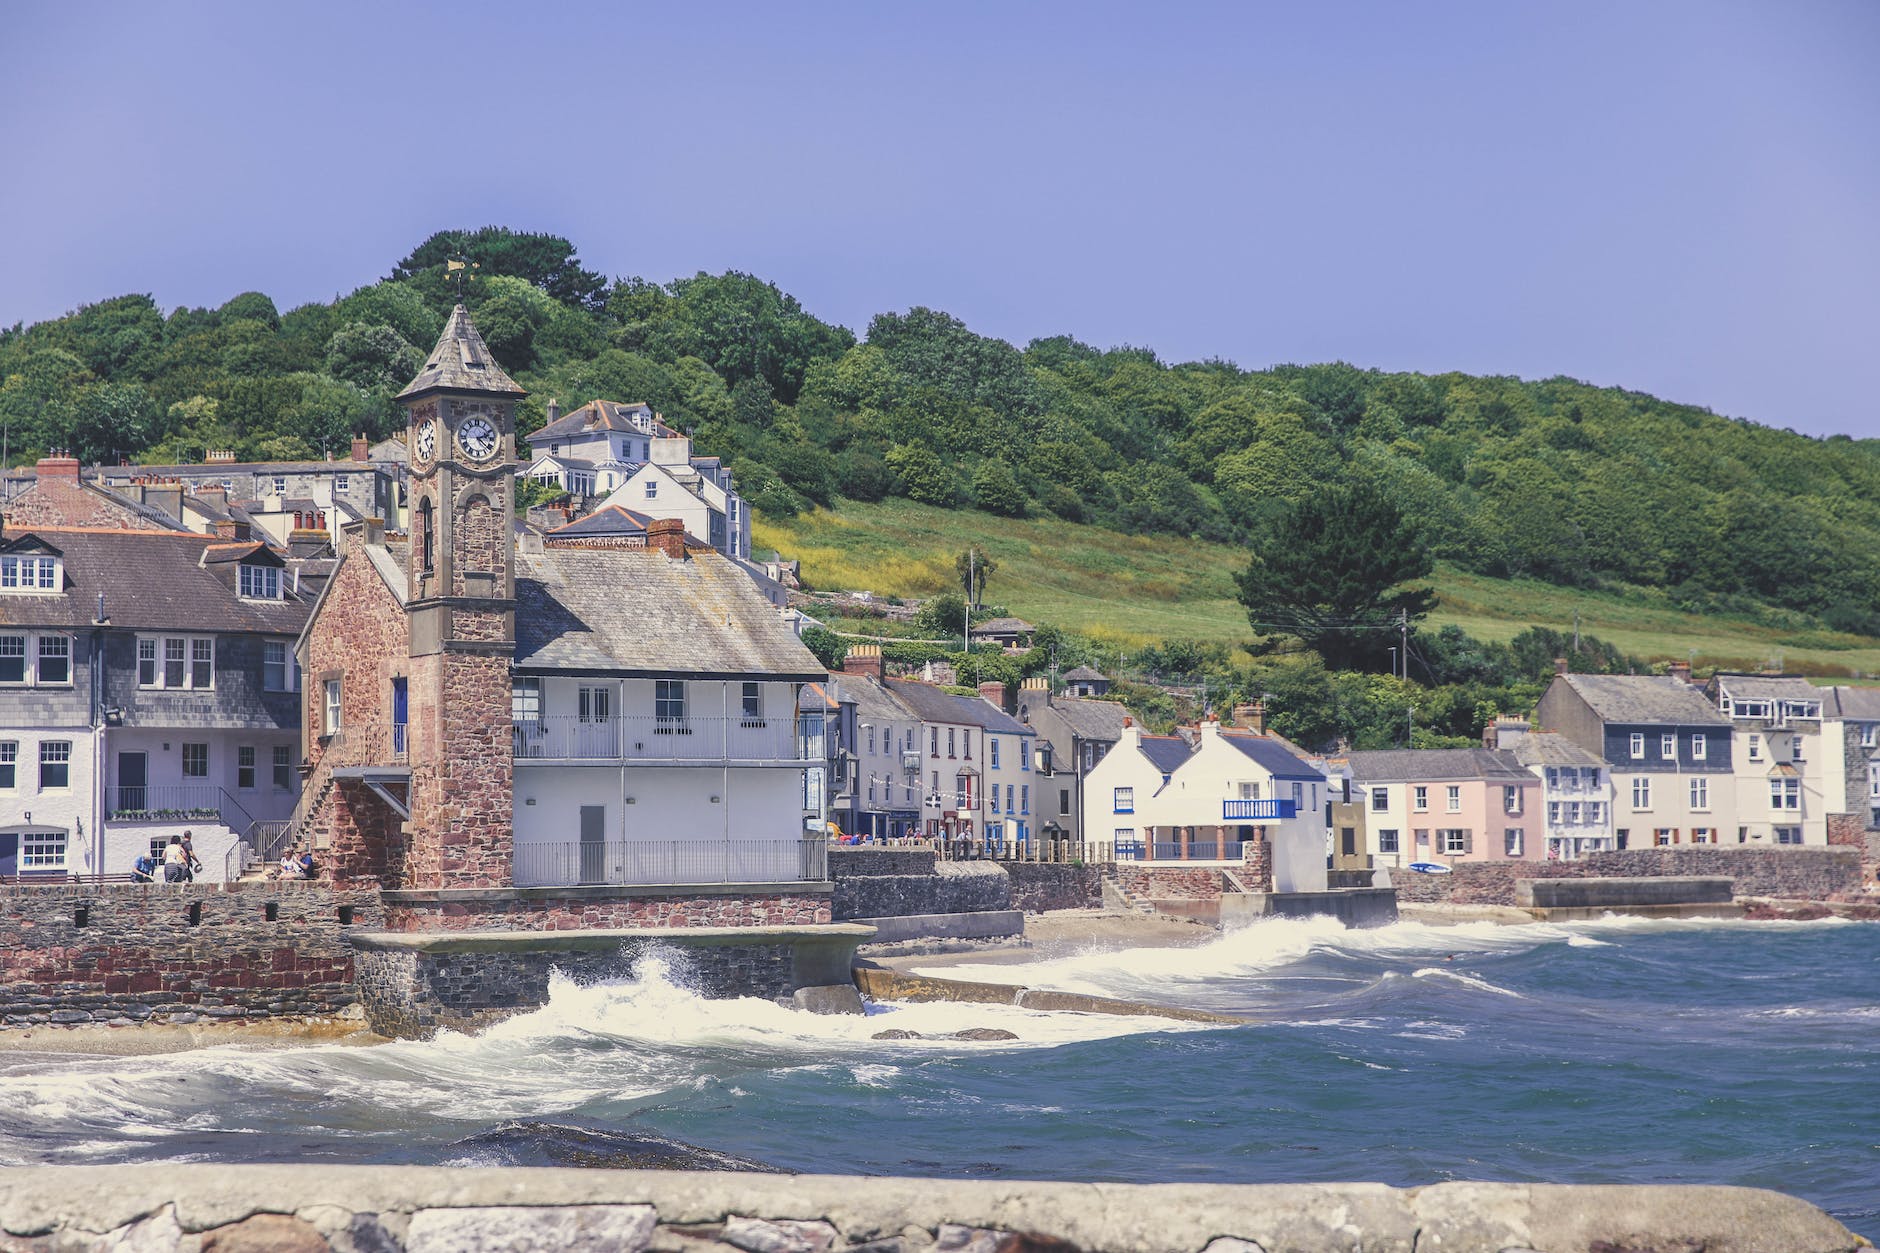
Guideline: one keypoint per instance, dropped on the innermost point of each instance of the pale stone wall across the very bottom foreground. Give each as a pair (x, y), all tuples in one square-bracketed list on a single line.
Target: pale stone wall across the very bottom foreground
[(309, 1209)]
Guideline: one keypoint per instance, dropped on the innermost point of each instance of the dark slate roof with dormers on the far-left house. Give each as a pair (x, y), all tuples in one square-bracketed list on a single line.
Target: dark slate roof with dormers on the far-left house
[(153, 580)]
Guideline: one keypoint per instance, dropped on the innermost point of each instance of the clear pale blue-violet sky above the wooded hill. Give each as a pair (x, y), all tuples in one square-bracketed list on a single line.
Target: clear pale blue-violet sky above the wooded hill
[(1680, 198)]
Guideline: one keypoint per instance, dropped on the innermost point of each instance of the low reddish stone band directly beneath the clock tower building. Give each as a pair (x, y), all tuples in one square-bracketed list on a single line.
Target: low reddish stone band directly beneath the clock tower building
[(407, 912)]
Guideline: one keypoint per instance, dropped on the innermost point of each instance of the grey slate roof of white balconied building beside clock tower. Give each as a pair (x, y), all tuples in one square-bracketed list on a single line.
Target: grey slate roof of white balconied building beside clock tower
[(642, 612)]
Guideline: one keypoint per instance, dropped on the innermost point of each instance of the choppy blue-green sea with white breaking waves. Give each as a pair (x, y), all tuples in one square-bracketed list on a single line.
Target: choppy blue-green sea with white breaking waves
[(1597, 1053)]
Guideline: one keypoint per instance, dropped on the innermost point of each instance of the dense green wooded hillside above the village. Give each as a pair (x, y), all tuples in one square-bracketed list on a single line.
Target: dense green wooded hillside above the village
[(1552, 481)]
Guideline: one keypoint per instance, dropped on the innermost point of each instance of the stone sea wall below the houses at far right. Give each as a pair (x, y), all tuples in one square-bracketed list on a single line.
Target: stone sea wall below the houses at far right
[(1796, 874)]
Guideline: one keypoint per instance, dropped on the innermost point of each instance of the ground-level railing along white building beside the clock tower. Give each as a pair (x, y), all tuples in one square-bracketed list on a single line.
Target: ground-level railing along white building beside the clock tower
[(659, 863)]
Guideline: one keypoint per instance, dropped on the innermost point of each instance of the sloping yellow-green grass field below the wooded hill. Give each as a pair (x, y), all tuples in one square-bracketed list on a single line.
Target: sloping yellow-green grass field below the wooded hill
[(1153, 588)]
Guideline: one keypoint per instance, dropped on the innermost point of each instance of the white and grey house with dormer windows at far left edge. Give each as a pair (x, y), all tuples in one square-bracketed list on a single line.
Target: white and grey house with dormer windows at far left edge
[(148, 688)]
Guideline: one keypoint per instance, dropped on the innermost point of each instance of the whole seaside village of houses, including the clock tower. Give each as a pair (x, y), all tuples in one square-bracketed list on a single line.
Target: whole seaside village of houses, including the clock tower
[(211, 648)]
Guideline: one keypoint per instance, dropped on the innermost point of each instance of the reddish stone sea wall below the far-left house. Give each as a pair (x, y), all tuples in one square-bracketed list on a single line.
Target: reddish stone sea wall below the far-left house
[(178, 953)]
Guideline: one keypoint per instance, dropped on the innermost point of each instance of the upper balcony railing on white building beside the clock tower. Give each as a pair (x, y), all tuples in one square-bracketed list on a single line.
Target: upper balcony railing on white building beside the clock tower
[(661, 742)]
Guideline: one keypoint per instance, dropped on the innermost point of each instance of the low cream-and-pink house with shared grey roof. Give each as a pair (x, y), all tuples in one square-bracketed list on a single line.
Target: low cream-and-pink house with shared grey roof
[(1449, 806)]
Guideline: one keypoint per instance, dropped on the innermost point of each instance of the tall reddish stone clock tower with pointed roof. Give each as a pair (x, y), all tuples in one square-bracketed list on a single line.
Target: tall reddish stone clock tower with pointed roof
[(462, 614)]
